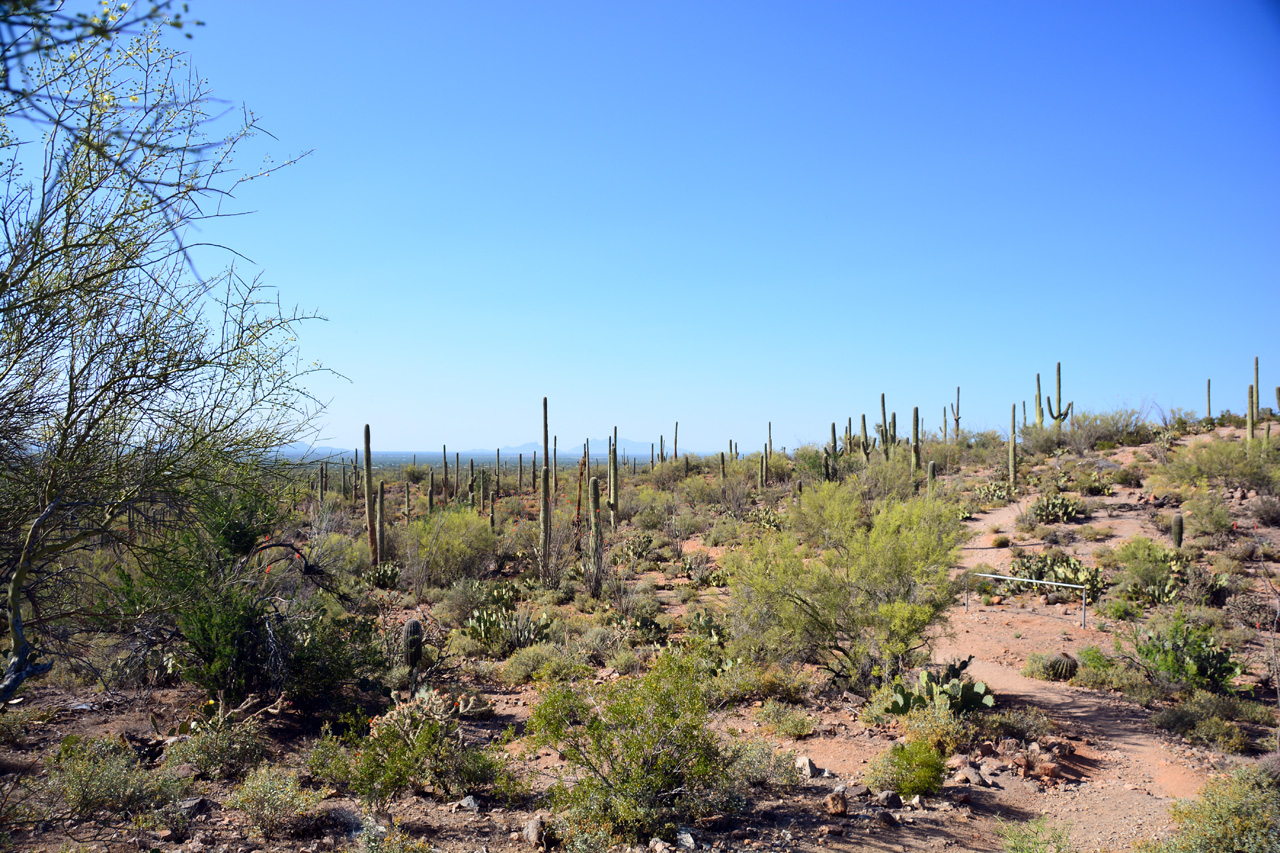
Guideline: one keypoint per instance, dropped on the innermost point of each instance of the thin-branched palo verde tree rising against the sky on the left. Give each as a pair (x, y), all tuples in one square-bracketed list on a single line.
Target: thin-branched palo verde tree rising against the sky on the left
[(127, 382)]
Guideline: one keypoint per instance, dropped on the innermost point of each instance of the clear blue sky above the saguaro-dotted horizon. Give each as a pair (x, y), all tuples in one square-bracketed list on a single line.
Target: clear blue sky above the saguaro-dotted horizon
[(734, 213)]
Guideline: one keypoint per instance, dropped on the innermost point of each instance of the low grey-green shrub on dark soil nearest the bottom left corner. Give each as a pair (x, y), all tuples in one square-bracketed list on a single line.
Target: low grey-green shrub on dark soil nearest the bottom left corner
[(97, 778)]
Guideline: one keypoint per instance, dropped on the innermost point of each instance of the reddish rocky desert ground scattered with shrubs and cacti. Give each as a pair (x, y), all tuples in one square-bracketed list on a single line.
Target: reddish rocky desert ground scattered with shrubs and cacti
[(1091, 759)]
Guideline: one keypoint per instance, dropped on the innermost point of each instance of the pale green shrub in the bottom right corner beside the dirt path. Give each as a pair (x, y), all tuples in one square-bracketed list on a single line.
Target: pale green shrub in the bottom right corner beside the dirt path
[(1236, 813)]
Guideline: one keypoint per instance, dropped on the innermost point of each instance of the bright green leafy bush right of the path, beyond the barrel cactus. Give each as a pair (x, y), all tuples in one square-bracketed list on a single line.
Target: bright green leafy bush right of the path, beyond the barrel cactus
[(1185, 654)]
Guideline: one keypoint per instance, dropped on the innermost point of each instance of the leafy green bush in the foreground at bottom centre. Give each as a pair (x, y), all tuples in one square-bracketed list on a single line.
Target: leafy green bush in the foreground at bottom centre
[(643, 760)]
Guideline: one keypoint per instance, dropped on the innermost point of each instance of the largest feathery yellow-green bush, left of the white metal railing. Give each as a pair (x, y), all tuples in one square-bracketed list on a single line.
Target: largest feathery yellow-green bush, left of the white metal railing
[(862, 609)]
